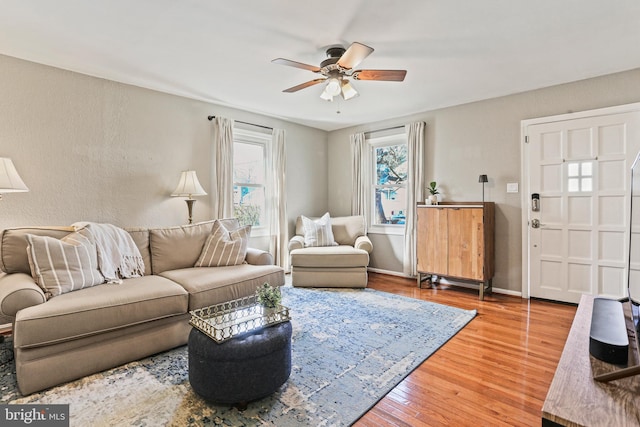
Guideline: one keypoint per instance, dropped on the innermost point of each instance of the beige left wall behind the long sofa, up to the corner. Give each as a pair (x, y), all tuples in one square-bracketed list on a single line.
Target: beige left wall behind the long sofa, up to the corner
[(96, 150)]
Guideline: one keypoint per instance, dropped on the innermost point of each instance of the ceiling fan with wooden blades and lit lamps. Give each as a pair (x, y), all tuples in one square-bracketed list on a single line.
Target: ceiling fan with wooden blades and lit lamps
[(338, 68)]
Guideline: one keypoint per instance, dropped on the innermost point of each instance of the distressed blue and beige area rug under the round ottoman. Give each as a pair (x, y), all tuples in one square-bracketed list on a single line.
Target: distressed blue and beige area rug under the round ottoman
[(350, 348)]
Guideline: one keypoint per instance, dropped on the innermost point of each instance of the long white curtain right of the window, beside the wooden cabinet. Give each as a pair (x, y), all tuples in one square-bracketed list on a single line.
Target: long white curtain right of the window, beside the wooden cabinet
[(415, 192)]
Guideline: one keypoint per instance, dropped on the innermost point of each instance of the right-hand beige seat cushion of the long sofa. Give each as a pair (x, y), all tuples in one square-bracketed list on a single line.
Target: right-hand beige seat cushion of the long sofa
[(214, 285)]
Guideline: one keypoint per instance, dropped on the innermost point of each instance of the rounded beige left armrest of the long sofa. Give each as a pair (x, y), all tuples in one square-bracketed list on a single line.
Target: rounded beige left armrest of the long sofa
[(18, 291)]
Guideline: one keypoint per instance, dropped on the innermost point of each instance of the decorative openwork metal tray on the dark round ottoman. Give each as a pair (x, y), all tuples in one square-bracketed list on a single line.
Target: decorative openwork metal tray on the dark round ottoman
[(236, 317)]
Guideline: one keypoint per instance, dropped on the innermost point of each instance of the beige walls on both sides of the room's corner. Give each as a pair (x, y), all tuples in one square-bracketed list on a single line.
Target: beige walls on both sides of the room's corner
[(96, 150)]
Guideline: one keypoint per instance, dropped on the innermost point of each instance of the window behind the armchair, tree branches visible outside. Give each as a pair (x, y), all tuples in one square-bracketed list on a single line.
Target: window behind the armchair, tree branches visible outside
[(389, 202)]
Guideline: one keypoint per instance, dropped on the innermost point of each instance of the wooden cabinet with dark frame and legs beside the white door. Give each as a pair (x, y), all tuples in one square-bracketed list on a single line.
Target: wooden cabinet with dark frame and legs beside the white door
[(456, 240)]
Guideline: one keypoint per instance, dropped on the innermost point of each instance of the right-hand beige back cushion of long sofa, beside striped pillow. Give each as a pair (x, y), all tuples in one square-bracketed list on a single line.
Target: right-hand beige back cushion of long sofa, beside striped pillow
[(180, 247)]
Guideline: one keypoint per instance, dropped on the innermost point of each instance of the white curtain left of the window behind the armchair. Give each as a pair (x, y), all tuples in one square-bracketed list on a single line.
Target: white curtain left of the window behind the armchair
[(360, 184)]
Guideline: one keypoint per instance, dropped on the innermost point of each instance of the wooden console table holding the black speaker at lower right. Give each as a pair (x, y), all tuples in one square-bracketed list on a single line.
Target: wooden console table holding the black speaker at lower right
[(575, 398)]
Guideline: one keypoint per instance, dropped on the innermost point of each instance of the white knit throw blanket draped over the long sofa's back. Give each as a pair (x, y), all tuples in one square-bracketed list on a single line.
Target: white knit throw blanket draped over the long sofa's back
[(118, 255)]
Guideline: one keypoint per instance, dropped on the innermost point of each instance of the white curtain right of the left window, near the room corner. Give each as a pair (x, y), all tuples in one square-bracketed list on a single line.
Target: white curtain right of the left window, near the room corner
[(276, 197)]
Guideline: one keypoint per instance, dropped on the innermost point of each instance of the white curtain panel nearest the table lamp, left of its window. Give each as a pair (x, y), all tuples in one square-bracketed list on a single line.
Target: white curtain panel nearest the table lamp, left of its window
[(222, 176)]
